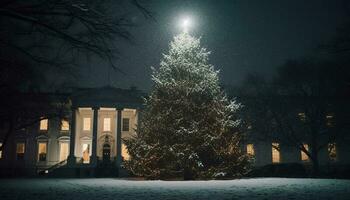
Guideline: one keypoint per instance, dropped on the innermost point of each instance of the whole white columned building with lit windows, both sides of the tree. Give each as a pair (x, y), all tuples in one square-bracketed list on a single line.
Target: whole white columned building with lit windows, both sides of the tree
[(90, 141)]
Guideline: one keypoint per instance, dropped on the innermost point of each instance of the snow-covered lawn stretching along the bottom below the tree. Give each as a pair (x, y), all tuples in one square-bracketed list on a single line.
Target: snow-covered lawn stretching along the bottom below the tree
[(101, 189)]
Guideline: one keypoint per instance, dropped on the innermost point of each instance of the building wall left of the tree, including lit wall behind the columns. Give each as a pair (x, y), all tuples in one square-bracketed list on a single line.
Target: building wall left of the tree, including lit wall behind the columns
[(54, 136)]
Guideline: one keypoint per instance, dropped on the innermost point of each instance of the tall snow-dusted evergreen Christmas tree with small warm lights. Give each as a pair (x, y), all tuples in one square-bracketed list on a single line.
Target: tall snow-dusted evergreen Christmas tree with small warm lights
[(188, 128)]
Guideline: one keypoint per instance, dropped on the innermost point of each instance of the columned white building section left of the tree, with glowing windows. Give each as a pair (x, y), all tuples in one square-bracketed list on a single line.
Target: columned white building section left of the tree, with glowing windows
[(91, 137)]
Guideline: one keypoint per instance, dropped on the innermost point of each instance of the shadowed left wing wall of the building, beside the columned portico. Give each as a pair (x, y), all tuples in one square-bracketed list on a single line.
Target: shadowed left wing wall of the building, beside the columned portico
[(31, 137)]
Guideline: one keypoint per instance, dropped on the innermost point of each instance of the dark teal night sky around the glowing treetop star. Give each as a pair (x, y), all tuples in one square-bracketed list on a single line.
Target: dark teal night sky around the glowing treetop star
[(244, 36)]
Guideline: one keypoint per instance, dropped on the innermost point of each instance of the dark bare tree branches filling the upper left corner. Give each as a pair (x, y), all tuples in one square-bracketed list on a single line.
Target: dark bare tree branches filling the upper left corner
[(40, 39)]
